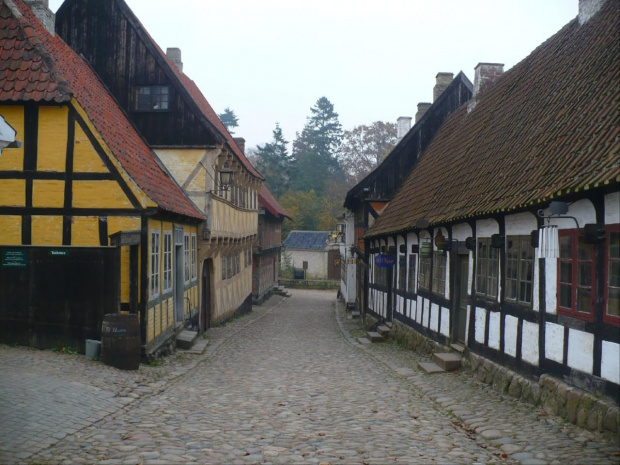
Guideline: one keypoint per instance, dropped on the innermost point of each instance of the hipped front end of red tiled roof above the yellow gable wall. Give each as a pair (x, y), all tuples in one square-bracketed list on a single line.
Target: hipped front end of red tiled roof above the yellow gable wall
[(26, 70)]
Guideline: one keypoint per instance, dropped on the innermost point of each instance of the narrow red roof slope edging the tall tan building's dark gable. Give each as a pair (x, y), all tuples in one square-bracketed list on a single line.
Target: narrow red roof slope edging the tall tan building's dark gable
[(192, 90)]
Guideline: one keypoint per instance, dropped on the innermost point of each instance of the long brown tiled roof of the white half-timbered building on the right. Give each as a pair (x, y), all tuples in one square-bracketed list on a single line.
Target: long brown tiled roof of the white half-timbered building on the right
[(548, 127)]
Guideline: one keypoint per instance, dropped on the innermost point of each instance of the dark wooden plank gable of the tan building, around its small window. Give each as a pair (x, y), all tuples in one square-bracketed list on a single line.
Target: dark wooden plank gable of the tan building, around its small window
[(109, 36)]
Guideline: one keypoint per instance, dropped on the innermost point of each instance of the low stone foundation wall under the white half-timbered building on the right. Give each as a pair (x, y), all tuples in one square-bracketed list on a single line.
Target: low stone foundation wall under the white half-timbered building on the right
[(554, 396)]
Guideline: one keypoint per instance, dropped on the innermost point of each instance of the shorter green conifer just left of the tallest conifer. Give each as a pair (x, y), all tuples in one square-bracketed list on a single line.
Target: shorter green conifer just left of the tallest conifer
[(275, 163)]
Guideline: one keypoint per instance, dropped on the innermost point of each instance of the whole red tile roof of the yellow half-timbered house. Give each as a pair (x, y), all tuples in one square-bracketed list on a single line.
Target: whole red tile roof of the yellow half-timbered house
[(65, 73)]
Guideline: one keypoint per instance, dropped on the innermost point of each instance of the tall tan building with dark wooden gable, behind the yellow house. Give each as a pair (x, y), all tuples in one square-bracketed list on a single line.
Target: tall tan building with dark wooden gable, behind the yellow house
[(181, 127)]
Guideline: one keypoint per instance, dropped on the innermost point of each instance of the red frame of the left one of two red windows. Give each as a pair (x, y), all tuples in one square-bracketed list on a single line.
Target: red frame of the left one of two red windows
[(574, 259)]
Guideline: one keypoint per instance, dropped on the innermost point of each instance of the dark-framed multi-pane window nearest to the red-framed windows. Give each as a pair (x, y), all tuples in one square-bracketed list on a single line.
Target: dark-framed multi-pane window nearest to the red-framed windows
[(519, 269)]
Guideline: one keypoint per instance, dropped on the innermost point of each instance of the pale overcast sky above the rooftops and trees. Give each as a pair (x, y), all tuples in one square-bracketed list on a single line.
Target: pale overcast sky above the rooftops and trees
[(271, 60)]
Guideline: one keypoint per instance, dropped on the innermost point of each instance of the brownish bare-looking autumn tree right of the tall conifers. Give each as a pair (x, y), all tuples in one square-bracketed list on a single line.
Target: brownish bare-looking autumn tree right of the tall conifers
[(363, 148)]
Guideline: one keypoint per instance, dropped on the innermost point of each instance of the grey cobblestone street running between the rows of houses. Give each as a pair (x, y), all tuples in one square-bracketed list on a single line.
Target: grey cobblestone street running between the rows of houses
[(286, 384)]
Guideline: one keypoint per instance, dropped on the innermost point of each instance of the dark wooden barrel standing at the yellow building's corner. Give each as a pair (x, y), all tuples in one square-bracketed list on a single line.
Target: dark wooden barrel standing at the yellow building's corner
[(120, 341)]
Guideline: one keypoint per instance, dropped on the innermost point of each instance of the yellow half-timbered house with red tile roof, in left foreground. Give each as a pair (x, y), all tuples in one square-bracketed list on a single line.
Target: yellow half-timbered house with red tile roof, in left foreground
[(91, 222)]
